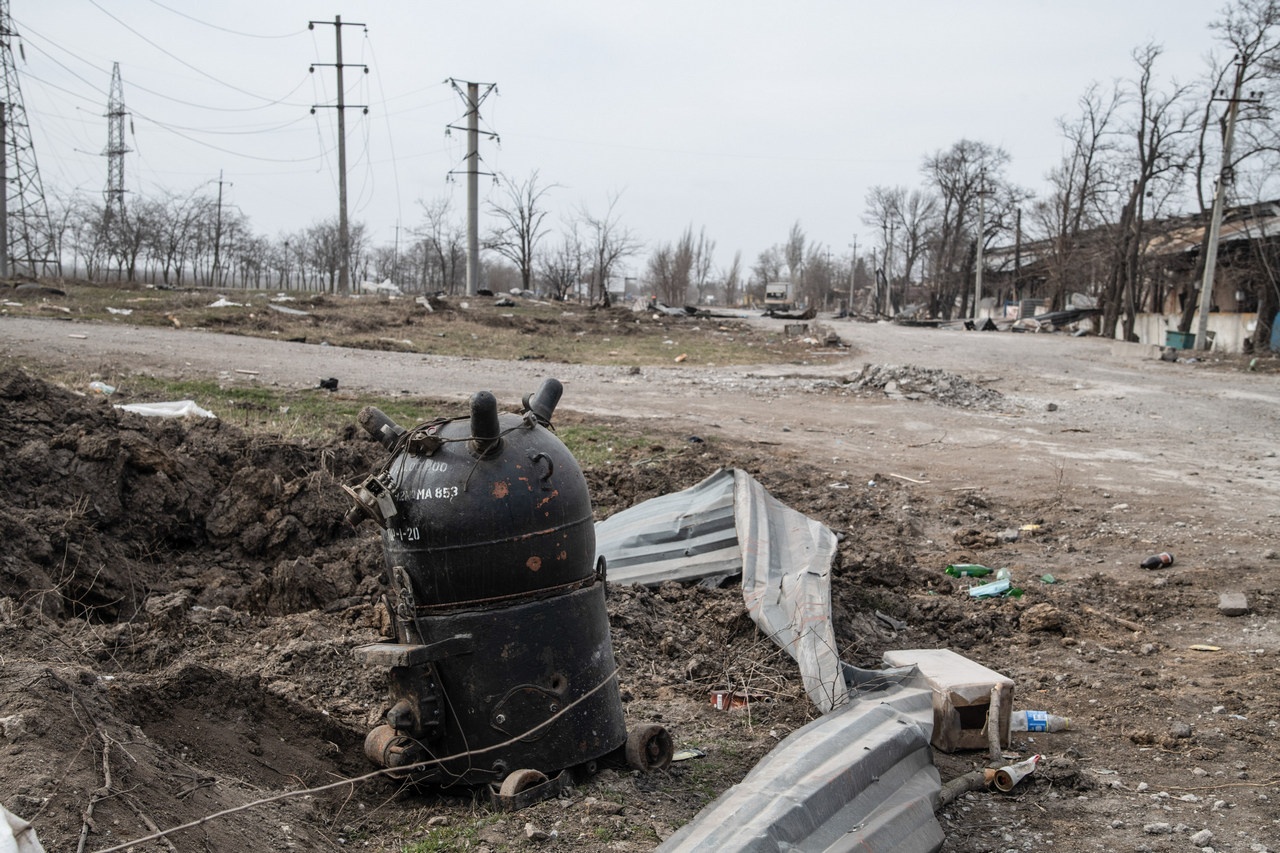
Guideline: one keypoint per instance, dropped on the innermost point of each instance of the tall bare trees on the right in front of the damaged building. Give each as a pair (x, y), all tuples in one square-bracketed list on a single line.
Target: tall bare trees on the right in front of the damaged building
[(1136, 154)]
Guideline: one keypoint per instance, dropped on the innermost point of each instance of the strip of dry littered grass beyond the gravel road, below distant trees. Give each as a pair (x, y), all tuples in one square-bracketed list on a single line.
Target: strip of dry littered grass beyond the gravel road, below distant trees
[(458, 327)]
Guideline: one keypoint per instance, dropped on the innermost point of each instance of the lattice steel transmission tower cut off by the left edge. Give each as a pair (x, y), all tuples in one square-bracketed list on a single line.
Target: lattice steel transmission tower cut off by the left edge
[(28, 232)]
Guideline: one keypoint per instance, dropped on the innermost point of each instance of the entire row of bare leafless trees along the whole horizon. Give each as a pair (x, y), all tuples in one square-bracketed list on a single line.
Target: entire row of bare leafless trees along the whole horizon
[(1136, 153)]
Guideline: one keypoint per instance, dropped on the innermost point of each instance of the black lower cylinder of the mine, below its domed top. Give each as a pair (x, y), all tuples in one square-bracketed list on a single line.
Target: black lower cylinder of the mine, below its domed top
[(538, 688)]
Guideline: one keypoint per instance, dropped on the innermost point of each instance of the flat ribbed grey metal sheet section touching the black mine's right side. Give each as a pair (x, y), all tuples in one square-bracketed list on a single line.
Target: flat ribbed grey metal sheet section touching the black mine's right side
[(684, 536)]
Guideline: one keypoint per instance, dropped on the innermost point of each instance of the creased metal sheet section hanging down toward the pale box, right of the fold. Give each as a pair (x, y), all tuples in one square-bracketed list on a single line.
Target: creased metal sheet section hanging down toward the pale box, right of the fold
[(787, 586)]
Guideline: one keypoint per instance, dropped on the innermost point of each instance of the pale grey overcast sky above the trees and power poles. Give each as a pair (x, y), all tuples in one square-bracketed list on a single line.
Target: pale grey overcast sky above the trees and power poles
[(740, 118)]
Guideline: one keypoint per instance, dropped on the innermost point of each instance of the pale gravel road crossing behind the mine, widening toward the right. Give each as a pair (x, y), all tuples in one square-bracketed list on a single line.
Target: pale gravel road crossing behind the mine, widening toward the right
[(1201, 435)]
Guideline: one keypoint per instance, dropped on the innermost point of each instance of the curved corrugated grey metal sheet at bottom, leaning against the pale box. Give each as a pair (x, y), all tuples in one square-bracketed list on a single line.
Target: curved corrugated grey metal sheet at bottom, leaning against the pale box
[(861, 779)]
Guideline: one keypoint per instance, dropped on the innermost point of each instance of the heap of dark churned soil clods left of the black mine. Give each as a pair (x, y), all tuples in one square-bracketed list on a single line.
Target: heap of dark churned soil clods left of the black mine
[(103, 509)]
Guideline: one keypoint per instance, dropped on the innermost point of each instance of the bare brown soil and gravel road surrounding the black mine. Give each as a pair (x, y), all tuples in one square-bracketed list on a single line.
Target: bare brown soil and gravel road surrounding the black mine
[(179, 601)]
